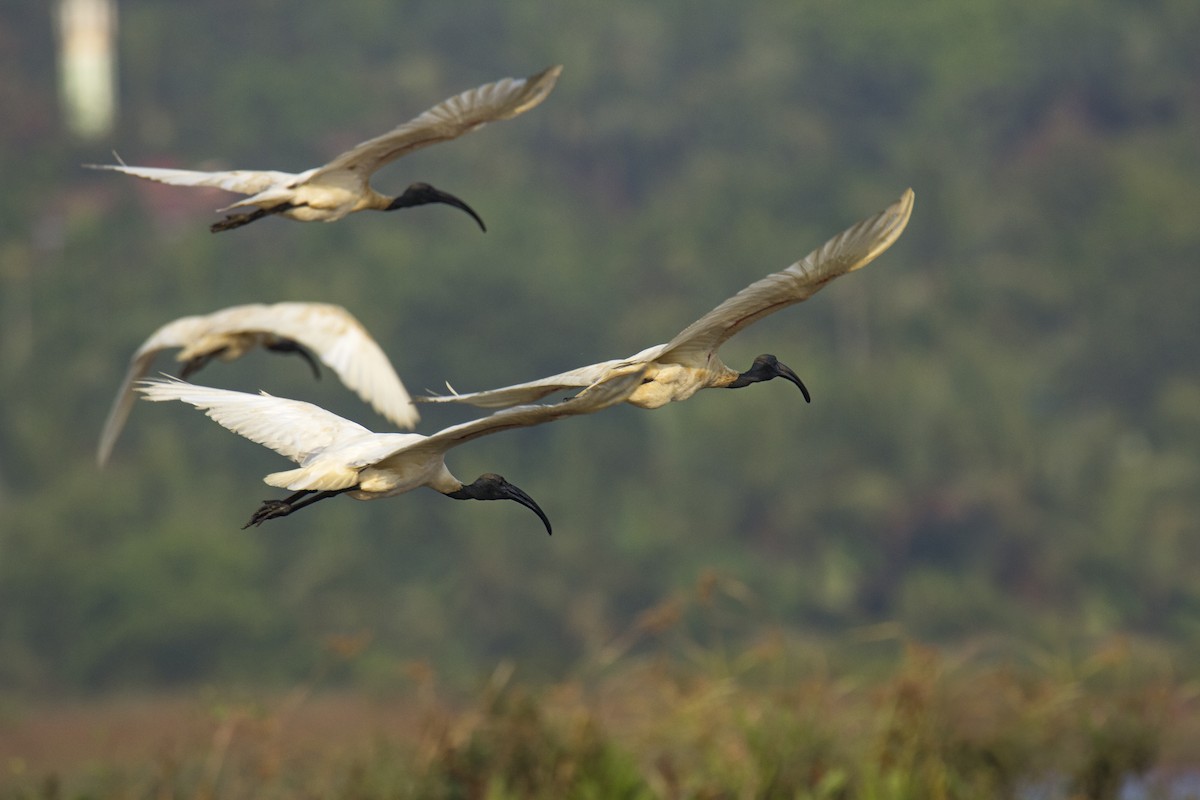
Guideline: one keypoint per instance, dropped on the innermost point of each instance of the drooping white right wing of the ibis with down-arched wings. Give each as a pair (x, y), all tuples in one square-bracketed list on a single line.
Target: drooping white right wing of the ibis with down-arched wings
[(344, 345)]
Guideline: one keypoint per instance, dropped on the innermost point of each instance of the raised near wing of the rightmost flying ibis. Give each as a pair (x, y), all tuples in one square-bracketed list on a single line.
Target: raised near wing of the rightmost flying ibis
[(847, 252)]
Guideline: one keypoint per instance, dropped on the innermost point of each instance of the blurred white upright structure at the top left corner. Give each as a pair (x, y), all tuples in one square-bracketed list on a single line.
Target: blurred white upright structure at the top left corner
[(88, 65)]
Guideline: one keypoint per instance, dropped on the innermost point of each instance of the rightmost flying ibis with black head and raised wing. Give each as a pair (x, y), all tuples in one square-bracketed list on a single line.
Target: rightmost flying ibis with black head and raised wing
[(689, 363)]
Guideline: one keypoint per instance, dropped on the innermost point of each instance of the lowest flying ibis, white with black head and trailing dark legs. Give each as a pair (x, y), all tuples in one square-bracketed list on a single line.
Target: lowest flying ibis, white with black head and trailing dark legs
[(341, 458)]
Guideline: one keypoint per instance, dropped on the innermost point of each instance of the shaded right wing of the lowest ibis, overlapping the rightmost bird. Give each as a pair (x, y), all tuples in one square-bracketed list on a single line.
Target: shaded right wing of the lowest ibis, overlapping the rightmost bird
[(523, 417)]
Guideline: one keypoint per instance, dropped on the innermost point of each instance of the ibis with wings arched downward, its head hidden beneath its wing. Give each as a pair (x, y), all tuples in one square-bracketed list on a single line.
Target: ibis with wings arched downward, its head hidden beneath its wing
[(307, 329)]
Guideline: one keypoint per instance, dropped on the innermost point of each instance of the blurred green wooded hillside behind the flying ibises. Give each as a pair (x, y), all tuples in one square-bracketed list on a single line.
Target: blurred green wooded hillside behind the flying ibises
[(1005, 435)]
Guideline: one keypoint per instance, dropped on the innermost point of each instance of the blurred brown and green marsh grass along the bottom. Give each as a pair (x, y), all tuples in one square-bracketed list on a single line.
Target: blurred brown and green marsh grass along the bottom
[(665, 712)]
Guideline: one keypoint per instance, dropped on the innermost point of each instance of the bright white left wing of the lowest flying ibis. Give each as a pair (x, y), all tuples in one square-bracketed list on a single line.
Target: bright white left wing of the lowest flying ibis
[(292, 429)]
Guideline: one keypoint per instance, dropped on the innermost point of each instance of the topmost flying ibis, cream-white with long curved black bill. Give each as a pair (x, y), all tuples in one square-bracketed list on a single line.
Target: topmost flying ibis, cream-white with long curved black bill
[(343, 187)]
